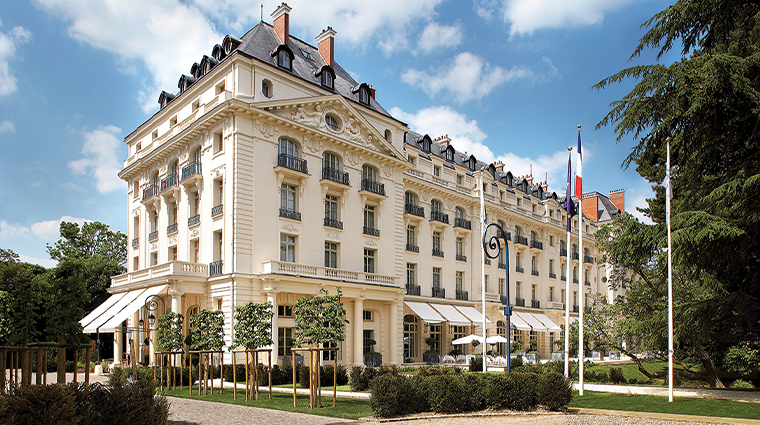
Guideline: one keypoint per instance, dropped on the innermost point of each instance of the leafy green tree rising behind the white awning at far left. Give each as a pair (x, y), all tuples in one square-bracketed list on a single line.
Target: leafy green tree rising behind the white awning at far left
[(101, 252)]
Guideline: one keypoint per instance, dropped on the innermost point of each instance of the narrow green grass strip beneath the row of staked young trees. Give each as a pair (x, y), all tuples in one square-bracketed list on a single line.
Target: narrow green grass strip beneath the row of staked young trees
[(345, 408)]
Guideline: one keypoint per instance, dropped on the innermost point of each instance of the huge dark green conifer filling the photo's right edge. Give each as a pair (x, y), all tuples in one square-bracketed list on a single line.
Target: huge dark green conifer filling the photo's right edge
[(706, 105)]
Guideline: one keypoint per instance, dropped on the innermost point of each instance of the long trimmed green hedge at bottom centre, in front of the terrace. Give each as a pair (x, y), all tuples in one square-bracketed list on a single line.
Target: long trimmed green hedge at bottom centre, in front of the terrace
[(393, 395)]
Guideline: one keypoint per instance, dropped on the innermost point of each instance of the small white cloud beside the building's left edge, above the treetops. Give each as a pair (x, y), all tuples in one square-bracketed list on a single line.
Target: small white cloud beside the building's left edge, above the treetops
[(100, 150)]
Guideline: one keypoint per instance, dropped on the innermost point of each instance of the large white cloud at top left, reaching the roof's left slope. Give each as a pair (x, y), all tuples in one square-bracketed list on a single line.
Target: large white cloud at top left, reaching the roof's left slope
[(165, 37)]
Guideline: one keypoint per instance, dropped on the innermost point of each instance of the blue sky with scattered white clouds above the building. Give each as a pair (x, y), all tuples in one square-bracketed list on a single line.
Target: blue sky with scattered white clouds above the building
[(507, 80)]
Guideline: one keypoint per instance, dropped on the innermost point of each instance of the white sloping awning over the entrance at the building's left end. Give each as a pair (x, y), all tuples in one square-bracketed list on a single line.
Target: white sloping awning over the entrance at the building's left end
[(117, 310)]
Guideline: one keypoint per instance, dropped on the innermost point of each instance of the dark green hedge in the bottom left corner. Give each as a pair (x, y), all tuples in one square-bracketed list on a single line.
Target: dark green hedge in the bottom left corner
[(77, 404)]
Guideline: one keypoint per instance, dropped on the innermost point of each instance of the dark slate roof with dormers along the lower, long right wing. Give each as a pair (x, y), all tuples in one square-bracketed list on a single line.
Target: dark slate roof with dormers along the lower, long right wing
[(462, 159)]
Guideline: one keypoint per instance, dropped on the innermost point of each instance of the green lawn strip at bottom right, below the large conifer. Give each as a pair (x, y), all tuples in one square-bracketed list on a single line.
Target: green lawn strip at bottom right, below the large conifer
[(660, 404)]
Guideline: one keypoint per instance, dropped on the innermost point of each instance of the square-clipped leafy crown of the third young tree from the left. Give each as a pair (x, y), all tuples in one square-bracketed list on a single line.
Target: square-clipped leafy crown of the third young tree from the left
[(253, 325)]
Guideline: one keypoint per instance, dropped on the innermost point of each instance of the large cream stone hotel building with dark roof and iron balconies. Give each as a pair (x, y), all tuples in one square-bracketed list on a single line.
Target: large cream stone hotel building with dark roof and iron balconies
[(273, 174)]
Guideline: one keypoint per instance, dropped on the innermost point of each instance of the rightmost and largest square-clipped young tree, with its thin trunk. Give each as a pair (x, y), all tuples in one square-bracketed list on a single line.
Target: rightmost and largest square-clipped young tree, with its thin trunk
[(319, 321)]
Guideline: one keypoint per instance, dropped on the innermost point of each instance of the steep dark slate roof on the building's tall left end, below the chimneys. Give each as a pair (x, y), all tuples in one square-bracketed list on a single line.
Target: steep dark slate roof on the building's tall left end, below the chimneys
[(259, 43)]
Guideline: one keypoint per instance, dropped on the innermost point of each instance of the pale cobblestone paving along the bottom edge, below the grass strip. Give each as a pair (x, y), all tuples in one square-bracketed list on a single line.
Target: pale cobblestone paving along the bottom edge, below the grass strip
[(196, 412)]
